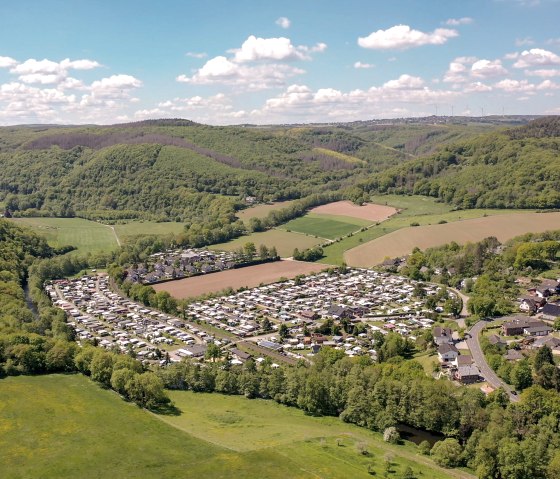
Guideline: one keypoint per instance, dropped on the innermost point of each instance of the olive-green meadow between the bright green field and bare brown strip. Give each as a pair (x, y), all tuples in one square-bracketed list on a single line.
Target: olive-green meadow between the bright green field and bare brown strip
[(284, 241)]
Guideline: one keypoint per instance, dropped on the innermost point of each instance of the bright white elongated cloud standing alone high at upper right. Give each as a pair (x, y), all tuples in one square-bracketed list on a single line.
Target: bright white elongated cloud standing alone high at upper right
[(403, 37)]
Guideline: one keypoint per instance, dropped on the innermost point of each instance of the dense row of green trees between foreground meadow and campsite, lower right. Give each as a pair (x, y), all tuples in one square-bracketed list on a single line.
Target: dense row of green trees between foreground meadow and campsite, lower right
[(497, 439)]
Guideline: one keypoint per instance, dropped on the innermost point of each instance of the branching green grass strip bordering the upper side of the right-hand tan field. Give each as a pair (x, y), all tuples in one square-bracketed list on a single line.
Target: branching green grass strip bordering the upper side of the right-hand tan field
[(417, 209)]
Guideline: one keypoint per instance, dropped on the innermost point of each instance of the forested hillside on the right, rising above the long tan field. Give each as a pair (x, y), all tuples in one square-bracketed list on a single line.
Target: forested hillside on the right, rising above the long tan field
[(513, 168)]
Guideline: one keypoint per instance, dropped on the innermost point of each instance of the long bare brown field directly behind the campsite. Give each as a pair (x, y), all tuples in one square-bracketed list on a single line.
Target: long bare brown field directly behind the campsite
[(250, 277)]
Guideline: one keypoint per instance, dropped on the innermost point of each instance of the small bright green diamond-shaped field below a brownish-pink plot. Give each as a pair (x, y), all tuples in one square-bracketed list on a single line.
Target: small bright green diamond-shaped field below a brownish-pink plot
[(325, 226)]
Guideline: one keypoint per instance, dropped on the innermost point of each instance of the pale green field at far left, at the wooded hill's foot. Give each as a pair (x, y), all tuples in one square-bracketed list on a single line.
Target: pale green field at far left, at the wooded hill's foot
[(87, 236)]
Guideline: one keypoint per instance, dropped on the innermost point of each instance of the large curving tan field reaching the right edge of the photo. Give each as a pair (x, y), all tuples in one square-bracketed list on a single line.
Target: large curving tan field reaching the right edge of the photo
[(399, 243)]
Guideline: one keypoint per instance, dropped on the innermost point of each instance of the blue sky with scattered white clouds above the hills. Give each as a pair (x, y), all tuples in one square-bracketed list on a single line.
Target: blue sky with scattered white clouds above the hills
[(225, 62)]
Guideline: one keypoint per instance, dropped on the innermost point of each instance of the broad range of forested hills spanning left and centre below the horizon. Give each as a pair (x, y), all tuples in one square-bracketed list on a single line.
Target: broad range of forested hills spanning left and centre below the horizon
[(182, 171)]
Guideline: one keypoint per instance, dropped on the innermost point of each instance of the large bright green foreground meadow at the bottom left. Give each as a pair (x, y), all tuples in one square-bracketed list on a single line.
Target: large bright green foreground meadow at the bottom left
[(88, 432)]
